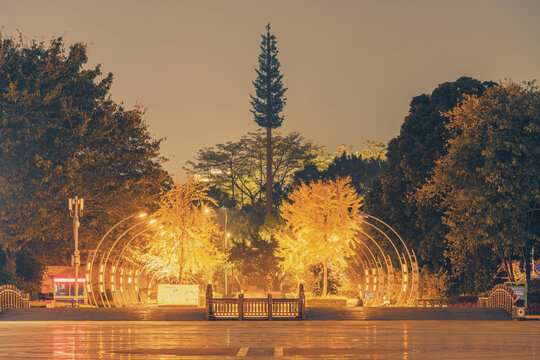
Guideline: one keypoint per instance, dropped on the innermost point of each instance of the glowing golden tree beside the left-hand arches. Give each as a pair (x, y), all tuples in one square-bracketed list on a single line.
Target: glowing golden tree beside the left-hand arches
[(188, 245)]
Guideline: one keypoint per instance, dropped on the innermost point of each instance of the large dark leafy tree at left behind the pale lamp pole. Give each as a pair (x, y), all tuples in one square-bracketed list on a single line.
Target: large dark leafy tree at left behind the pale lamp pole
[(61, 135)]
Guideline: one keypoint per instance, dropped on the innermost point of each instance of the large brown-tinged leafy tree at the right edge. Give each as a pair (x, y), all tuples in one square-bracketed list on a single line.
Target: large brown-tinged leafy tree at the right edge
[(488, 181)]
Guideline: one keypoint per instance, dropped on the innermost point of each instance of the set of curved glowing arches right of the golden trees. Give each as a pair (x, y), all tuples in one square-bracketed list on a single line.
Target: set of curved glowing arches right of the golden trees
[(385, 270)]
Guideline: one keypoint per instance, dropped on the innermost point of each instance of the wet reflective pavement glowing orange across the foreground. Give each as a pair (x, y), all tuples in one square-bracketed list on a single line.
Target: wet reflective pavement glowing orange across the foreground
[(257, 339)]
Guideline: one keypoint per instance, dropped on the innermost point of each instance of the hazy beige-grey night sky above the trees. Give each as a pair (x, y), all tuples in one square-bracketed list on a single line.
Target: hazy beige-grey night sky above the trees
[(351, 66)]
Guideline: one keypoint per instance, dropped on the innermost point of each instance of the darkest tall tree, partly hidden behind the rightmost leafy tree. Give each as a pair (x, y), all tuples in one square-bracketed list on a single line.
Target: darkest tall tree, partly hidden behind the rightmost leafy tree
[(410, 158)]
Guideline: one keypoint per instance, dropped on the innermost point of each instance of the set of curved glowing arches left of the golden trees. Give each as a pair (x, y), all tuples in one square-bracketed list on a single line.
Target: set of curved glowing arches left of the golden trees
[(113, 280)]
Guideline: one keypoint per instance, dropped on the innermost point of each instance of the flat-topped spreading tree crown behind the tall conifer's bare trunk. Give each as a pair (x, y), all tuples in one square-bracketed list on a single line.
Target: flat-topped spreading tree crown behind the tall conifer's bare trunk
[(236, 169)]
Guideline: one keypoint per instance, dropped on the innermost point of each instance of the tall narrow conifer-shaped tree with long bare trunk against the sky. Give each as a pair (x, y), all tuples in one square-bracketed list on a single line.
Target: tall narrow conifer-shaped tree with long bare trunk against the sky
[(268, 101)]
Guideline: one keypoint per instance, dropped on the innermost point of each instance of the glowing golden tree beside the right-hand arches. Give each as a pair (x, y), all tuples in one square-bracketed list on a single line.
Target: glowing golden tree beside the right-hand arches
[(322, 218)]
